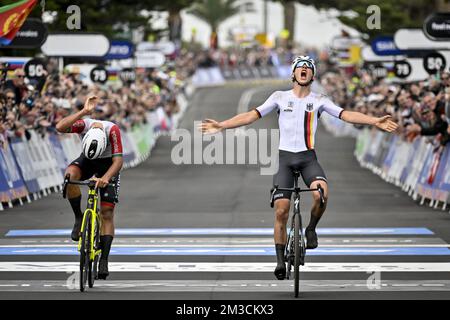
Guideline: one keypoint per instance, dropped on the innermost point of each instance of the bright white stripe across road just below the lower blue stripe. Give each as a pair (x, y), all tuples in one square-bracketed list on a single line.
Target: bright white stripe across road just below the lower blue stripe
[(68, 267)]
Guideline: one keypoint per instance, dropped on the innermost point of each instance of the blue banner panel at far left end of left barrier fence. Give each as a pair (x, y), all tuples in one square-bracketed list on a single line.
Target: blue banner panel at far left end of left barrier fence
[(11, 173)]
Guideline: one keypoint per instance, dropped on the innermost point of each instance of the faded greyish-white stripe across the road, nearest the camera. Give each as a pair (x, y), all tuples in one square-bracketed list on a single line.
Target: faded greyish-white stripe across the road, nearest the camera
[(231, 286)]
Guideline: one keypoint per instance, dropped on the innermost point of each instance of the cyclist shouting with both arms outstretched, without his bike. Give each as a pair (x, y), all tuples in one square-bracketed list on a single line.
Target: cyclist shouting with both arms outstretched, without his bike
[(298, 111)]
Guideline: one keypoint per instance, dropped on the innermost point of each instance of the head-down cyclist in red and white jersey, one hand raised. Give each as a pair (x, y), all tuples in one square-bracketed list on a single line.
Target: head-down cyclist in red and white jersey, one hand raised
[(100, 160)]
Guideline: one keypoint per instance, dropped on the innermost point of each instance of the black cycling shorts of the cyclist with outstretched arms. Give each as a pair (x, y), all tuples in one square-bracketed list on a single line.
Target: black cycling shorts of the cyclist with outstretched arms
[(305, 162)]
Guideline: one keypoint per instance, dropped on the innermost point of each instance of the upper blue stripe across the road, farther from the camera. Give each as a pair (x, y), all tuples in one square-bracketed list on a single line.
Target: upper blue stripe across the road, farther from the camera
[(224, 232)]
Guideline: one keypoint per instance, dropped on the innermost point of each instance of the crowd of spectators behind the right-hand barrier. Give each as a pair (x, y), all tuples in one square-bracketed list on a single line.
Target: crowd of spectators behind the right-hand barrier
[(420, 108)]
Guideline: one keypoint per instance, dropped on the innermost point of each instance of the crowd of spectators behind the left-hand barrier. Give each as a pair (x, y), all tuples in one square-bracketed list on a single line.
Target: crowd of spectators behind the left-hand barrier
[(38, 105)]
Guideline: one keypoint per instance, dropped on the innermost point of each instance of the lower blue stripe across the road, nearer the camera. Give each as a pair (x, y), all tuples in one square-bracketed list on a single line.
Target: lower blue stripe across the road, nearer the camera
[(224, 251)]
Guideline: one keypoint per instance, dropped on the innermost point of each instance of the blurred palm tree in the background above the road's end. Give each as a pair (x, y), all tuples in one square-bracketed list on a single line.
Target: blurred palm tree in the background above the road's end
[(214, 12)]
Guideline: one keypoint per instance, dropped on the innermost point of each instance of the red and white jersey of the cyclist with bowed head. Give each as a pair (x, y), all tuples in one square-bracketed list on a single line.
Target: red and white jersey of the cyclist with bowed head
[(112, 131)]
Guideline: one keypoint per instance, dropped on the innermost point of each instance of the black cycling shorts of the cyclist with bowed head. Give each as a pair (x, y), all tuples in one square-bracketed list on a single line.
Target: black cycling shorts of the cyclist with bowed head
[(109, 196)]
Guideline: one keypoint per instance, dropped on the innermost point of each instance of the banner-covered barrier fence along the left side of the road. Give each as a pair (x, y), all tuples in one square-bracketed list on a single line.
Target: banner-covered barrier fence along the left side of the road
[(34, 167)]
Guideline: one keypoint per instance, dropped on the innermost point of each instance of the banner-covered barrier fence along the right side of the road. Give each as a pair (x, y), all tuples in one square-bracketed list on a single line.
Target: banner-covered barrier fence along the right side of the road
[(421, 168)]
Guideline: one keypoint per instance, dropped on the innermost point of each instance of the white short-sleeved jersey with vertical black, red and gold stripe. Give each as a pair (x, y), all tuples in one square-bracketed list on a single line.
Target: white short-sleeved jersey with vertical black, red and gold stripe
[(298, 117)]
